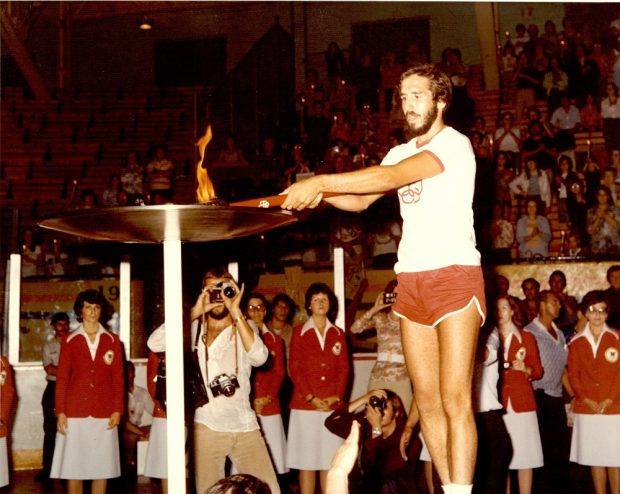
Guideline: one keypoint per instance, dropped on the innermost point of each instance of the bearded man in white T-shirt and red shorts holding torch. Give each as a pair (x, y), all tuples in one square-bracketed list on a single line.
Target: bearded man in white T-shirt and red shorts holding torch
[(440, 288)]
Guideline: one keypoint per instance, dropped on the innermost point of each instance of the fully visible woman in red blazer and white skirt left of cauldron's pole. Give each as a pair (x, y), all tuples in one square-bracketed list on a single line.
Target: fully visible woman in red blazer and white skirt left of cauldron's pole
[(89, 399)]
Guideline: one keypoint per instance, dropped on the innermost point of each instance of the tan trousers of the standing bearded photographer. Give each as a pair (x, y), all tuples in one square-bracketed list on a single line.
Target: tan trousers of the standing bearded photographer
[(247, 450)]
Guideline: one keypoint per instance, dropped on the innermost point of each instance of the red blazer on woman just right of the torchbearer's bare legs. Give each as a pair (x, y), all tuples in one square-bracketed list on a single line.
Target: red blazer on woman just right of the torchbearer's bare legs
[(516, 385)]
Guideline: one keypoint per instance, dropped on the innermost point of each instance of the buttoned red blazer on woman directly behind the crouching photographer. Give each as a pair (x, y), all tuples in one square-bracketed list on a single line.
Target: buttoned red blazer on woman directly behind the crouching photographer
[(321, 372)]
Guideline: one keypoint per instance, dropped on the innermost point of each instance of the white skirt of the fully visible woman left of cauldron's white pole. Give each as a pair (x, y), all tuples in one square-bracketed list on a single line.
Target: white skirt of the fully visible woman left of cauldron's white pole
[(88, 450)]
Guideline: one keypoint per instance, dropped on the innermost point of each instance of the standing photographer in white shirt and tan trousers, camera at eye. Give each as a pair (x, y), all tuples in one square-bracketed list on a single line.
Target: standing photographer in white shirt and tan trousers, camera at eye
[(226, 349)]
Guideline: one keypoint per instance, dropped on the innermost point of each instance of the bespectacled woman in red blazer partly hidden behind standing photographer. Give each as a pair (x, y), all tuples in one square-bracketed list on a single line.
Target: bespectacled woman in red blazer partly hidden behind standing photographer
[(267, 381)]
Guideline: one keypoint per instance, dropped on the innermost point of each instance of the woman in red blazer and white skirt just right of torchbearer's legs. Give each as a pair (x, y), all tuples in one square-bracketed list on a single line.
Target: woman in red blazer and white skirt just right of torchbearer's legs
[(521, 364)]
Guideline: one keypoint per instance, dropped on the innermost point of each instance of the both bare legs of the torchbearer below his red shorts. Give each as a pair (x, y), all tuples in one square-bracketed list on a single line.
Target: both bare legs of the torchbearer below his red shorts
[(440, 363)]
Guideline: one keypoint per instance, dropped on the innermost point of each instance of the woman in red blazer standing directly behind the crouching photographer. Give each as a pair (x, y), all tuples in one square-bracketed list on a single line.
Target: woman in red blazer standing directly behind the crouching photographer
[(319, 369)]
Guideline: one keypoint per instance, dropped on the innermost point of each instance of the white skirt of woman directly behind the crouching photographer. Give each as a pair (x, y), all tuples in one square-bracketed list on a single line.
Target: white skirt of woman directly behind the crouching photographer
[(311, 446)]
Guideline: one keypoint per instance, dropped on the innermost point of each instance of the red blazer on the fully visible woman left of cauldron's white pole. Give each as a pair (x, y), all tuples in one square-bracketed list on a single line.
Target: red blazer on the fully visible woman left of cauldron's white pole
[(87, 387)]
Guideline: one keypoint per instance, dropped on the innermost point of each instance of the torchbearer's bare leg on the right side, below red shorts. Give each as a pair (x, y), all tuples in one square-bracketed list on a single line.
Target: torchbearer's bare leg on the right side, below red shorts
[(458, 335)]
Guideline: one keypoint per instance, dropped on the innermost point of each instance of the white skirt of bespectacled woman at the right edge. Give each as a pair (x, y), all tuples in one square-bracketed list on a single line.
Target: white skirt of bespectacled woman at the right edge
[(596, 440)]
